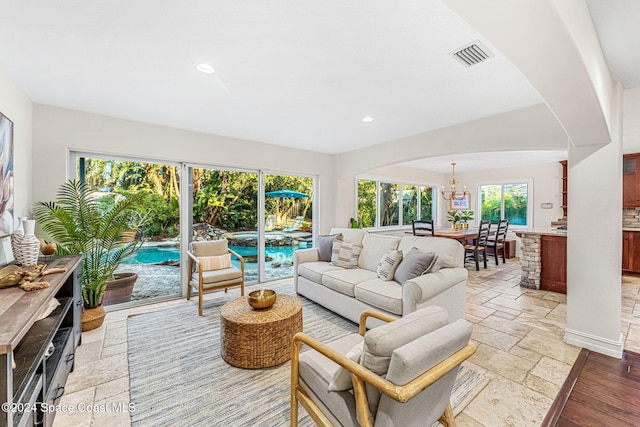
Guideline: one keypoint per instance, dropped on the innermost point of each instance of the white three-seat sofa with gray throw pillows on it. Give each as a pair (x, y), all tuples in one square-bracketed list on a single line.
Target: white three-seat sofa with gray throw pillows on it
[(348, 292)]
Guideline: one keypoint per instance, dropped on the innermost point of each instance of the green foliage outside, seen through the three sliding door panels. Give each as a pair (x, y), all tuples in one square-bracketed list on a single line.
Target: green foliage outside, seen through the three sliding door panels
[(224, 199)]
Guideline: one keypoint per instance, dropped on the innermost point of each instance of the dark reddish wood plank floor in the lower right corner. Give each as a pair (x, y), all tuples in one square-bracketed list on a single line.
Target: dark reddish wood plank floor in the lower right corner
[(599, 391)]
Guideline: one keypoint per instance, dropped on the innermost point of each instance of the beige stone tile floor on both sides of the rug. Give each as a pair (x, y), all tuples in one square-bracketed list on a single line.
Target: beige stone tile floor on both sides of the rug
[(518, 332)]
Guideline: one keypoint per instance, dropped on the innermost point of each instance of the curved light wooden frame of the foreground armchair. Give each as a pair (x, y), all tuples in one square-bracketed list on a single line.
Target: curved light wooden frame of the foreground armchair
[(361, 375)]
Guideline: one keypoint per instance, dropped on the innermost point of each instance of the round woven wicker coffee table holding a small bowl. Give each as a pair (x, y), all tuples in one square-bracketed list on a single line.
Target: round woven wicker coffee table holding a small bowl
[(259, 338)]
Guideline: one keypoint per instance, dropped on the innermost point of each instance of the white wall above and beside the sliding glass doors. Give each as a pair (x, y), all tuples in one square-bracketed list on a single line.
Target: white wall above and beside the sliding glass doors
[(57, 131)]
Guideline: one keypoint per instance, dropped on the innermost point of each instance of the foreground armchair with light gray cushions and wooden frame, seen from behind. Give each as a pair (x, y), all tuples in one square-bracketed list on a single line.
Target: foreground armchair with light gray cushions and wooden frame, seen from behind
[(404, 375)]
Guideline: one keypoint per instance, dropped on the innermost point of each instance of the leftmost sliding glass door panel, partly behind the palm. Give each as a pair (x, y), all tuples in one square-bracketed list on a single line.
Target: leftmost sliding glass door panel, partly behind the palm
[(157, 261)]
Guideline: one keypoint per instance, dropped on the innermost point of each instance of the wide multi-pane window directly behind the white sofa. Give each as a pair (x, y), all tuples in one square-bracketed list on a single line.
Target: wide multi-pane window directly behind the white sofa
[(382, 204)]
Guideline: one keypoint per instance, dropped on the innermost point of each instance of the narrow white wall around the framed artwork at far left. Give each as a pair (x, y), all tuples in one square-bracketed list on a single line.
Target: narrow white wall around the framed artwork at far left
[(15, 105)]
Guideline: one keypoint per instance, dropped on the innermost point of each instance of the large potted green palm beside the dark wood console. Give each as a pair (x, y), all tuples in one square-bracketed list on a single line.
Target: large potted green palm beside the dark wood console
[(78, 225)]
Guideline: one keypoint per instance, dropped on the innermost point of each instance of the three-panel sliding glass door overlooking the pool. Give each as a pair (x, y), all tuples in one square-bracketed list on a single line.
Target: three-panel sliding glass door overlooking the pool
[(265, 216)]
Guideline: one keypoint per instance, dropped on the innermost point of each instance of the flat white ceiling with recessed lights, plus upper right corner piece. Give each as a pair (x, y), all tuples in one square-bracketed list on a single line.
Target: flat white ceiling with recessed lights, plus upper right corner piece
[(297, 73)]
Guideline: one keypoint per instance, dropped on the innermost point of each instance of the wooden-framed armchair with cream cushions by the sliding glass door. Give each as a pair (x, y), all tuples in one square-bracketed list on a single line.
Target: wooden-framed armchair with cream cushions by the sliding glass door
[(211, 263)]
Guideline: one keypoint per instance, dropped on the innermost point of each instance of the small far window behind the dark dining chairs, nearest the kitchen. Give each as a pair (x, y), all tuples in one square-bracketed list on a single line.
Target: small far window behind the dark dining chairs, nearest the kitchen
[(509, 201)]
